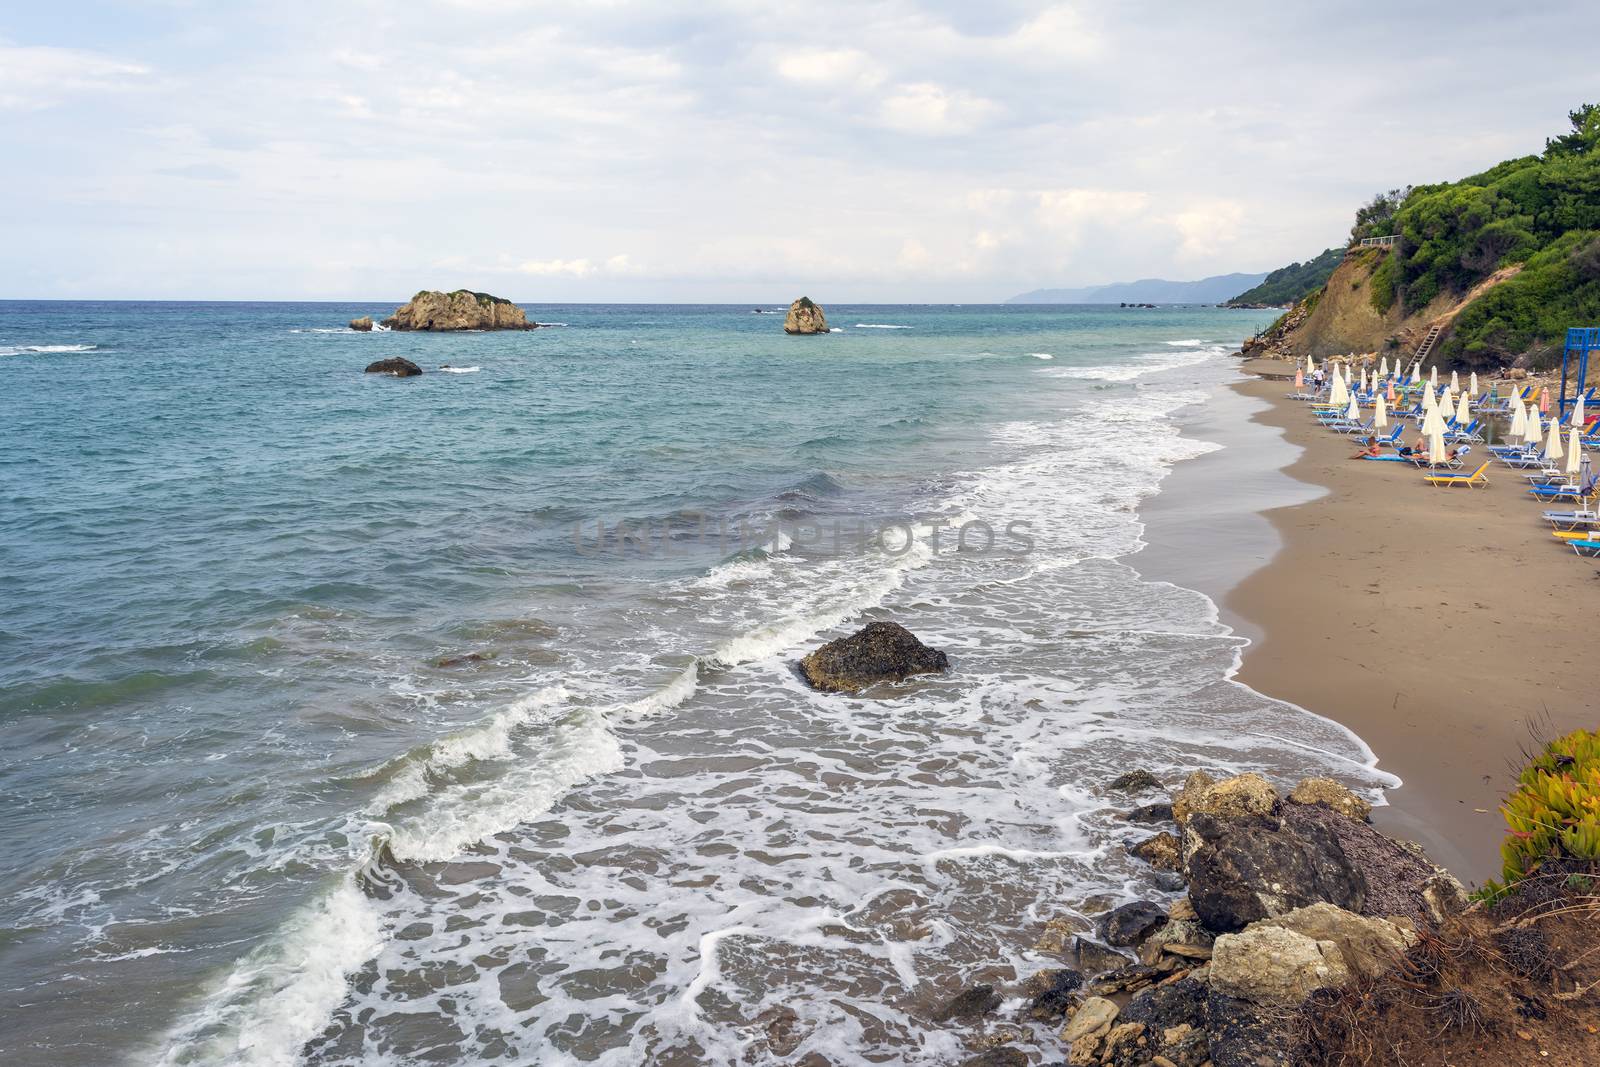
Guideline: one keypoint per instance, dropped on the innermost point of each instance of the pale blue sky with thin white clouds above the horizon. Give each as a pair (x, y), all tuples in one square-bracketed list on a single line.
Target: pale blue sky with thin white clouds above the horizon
[(868, 151)]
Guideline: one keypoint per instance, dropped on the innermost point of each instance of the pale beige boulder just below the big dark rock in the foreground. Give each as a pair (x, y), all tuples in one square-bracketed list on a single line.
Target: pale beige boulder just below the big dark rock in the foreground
[(1276, 967)]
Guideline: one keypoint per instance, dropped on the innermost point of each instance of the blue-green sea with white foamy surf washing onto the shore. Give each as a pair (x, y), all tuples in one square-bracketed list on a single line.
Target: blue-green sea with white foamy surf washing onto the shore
[(356, 721)]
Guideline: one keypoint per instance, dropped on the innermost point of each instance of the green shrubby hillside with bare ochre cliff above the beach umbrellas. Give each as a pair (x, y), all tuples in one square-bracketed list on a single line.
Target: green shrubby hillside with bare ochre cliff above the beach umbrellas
[(1508, 260)]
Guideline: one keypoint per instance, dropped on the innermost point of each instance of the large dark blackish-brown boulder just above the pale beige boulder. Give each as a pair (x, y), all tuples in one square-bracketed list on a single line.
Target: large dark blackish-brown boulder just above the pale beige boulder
[(1242, 871)]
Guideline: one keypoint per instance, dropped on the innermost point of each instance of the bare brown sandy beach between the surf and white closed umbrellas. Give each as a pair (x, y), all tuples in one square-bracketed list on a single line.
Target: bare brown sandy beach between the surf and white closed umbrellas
[(1444, 626)]
